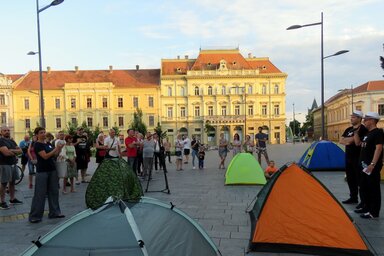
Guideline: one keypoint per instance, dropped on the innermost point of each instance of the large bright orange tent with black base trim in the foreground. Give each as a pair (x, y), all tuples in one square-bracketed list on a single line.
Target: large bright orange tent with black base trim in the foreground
[(295, 213)]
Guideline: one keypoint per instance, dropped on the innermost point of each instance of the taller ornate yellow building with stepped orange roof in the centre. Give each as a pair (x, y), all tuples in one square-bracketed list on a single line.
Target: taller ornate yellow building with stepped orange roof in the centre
[(234, 94)]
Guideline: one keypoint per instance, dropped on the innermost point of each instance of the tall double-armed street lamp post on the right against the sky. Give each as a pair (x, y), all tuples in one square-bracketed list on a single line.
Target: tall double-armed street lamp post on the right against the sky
[(321, 23)]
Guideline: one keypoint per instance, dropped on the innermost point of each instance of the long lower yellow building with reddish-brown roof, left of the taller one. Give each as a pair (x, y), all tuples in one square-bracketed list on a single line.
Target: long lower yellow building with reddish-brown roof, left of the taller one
[(103, 98)]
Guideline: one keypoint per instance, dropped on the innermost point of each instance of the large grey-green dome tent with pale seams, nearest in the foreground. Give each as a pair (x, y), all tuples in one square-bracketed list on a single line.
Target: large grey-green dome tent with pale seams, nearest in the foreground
[(142, 228)]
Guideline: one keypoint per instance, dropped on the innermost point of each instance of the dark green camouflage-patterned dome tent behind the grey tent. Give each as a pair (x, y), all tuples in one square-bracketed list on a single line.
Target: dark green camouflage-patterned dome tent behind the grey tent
[(113, 178)]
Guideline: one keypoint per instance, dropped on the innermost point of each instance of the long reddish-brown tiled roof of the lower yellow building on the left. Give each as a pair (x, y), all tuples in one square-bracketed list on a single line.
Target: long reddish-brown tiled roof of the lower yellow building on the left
[(53, 80)]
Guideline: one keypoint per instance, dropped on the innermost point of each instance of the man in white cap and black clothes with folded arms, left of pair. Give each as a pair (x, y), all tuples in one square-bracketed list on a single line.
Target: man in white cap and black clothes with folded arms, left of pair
[(352, 153)]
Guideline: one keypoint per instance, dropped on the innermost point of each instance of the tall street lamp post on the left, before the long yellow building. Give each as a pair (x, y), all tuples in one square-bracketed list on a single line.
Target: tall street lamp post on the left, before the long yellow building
[(38, 11)]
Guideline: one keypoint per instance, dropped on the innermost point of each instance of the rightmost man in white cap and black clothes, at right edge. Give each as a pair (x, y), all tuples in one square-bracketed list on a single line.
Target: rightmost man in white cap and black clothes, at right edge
[(371, 159)]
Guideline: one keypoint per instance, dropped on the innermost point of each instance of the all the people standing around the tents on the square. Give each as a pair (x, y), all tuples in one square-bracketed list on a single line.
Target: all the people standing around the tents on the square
[(67, 157)]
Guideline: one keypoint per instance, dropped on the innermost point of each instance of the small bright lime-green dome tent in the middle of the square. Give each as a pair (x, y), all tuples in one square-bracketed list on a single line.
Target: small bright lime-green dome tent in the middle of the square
[(244, 169)]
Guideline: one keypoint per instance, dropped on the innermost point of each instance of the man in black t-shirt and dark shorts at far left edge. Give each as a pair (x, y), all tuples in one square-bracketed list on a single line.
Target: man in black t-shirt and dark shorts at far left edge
[(8, 171)]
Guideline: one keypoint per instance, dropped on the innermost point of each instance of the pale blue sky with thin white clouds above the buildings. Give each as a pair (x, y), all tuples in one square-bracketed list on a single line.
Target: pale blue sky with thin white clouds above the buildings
[(94, 34)]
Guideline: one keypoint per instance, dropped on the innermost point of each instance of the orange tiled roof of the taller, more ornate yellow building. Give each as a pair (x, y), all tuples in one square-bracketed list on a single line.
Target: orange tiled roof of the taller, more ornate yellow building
[(210, 60)]
